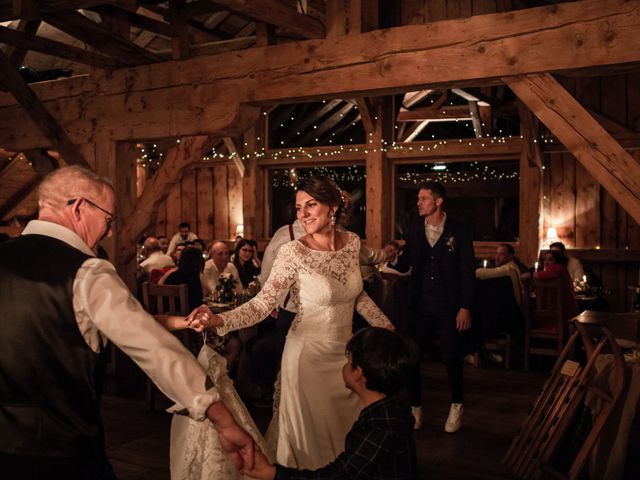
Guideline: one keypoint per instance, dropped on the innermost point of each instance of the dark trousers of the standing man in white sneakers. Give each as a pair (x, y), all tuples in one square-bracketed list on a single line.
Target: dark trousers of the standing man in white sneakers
[(437, 321)]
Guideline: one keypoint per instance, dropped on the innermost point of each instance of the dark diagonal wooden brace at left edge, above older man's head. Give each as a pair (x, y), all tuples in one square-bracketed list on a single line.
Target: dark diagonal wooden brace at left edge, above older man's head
[(45, 122)]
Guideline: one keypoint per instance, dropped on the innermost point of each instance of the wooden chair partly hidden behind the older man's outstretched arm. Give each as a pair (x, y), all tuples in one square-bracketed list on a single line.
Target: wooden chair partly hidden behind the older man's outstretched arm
[(169, 300)]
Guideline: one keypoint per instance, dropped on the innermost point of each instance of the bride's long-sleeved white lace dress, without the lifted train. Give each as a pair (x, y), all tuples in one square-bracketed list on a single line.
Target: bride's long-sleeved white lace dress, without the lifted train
[(315, 410)]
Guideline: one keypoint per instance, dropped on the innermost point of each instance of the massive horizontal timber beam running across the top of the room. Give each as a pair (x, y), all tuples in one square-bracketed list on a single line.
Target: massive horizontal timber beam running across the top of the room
[(397, 59)]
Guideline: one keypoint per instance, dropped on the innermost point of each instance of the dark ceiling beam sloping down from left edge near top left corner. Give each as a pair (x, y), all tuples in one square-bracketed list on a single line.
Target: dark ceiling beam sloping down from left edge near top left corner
[(23, 41)]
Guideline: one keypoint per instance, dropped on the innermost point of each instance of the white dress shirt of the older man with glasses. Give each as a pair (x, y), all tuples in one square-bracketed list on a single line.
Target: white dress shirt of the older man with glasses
[(105, 309)]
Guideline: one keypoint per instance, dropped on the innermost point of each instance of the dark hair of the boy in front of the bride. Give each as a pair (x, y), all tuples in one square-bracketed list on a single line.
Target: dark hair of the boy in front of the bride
[(385, 358)]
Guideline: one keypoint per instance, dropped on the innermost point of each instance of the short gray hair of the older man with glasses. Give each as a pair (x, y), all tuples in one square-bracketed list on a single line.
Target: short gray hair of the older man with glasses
[(70, 182)]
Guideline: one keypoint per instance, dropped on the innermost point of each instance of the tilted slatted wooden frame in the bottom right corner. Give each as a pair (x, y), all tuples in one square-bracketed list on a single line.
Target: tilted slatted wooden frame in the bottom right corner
[(546, 445)]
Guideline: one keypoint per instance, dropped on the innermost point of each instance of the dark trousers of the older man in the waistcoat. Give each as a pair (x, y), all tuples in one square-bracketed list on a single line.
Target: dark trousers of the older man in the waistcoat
[(19, 467)]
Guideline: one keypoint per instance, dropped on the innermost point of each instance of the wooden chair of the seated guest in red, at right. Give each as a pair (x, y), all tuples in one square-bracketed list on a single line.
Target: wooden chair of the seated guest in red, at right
[(545, 327)]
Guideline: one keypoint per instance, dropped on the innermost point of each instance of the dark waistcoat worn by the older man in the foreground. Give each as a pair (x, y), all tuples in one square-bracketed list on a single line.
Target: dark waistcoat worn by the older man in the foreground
[(48, 391)]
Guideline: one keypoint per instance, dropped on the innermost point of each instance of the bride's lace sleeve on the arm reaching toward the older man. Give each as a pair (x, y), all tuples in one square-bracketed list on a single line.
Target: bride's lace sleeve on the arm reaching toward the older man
[(282, 276)]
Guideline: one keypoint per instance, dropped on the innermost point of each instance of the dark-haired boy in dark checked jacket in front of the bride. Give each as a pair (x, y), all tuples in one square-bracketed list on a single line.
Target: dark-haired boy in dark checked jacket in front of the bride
[(380, 445)]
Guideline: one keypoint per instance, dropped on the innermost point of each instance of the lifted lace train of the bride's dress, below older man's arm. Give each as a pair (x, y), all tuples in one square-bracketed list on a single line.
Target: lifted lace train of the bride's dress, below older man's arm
[(195, 452)]
